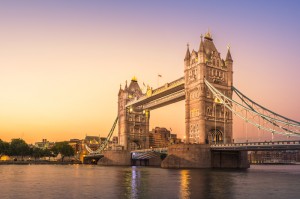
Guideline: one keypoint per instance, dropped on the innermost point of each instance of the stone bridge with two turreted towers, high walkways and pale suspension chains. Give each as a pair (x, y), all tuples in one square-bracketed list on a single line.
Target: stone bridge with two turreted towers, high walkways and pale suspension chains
[(207, 89)]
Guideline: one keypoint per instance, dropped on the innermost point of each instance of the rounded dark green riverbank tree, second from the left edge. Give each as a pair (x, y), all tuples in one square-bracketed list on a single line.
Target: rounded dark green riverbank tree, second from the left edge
[(18, 147)]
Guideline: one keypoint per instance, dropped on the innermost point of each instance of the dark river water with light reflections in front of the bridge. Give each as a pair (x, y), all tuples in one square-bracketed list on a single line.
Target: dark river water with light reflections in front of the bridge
[(84, 181)]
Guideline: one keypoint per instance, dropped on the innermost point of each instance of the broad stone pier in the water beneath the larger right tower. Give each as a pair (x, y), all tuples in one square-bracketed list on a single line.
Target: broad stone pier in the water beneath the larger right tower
[(201, 156)]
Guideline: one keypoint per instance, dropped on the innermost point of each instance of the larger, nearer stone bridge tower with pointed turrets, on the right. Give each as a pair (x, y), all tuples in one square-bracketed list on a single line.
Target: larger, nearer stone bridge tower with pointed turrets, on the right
[(206, 120)]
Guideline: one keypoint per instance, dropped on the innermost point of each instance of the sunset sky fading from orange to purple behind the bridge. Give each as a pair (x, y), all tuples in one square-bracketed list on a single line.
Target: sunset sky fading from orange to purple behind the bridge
[(62, 62)]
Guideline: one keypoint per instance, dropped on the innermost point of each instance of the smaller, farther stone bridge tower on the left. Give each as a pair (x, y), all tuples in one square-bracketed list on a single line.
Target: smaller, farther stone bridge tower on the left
[(133, 122)]
